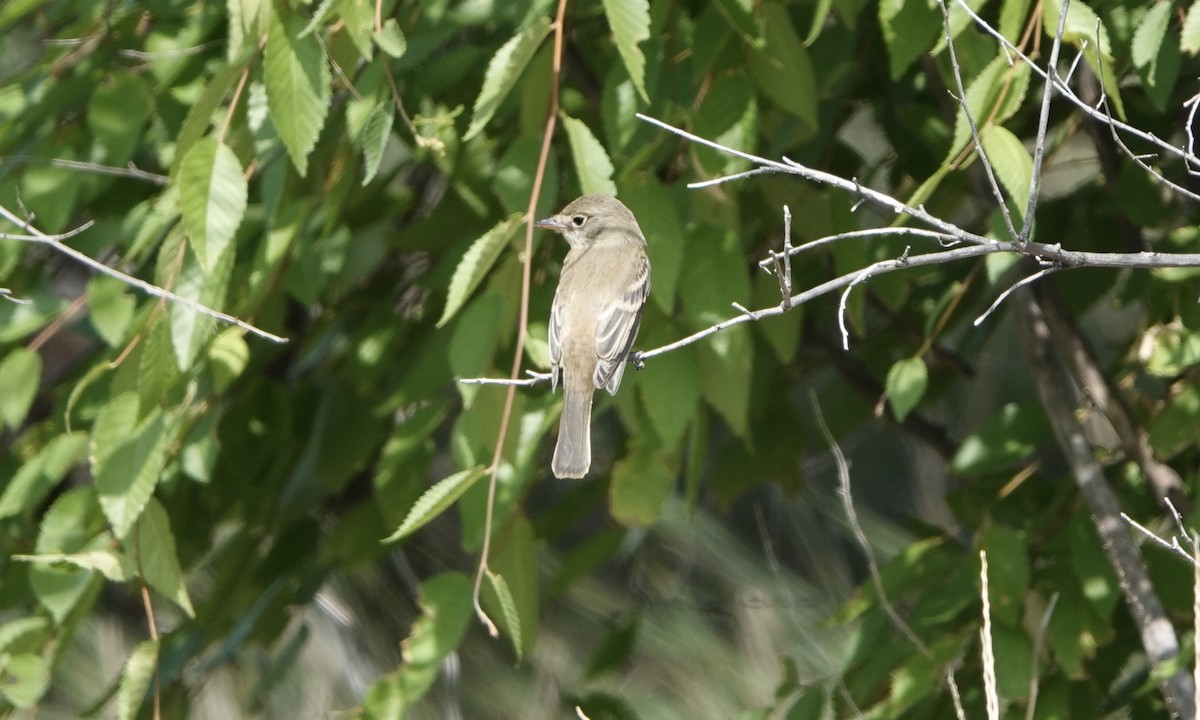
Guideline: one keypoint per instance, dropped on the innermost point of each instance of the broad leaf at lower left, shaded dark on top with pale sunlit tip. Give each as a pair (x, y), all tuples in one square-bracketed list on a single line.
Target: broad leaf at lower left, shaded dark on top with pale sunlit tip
[(128, 461)]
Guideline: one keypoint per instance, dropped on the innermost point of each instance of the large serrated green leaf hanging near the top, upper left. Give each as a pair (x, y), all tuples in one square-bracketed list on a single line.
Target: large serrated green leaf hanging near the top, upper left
[(298, 88)]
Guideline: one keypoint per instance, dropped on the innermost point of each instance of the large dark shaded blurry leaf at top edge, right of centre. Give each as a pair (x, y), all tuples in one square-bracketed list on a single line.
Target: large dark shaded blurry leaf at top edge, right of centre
[(783, 69)]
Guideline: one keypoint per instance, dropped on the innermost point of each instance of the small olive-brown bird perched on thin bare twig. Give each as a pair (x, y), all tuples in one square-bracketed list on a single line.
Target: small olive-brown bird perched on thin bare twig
[(595, 320)]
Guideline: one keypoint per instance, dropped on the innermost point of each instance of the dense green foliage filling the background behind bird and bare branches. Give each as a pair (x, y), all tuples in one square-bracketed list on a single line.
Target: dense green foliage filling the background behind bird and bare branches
[(361, 184)]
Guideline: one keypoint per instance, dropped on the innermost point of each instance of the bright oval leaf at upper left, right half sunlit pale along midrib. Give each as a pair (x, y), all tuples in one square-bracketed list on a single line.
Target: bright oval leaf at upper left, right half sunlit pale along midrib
[(212, 199)]
